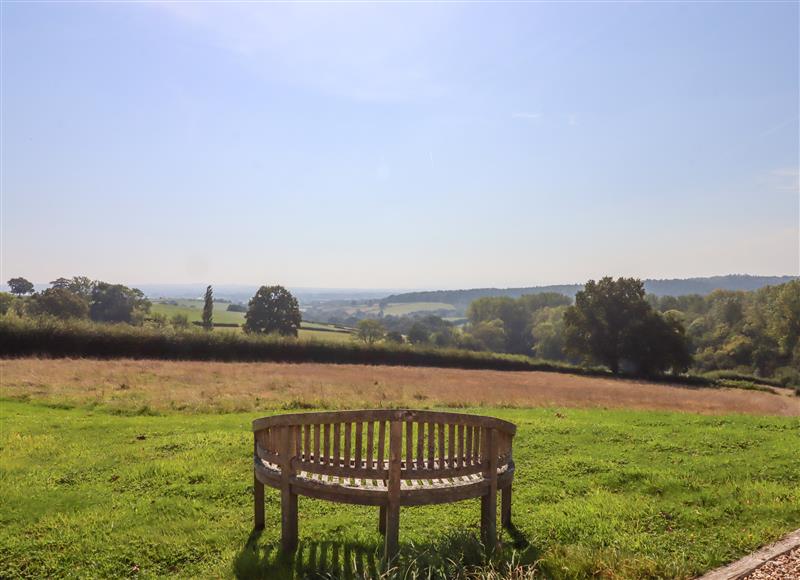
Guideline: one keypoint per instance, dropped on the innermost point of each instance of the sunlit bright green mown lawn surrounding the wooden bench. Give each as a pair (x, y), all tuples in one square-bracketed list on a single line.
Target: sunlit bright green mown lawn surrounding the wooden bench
[(622, 494)]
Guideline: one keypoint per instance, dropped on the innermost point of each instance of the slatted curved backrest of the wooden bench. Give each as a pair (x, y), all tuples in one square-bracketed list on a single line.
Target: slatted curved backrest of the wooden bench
[(367, 444)]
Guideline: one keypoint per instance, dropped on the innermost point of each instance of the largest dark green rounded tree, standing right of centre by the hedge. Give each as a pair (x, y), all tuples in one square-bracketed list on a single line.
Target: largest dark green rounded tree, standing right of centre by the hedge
[(612, 322)]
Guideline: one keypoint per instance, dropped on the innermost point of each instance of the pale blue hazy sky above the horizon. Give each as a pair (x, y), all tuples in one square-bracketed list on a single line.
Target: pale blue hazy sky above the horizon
[(399, 145)]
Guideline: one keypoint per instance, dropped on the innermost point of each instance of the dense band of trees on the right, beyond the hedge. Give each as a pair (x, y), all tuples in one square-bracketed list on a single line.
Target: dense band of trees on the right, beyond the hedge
[(615, 323)]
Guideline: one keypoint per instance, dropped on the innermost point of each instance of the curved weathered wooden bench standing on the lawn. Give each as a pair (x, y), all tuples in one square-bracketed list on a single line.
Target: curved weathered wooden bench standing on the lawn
[(386, 458)]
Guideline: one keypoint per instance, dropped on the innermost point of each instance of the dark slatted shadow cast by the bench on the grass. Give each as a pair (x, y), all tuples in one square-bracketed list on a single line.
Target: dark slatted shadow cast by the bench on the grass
[(440, 558)]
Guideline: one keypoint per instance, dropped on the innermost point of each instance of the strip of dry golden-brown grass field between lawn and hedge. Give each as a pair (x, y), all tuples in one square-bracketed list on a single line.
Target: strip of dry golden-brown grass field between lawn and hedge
[(154, 385)]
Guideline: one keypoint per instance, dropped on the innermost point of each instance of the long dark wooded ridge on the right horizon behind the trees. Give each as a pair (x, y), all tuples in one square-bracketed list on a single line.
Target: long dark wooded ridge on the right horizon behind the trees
[(673, 287)]
